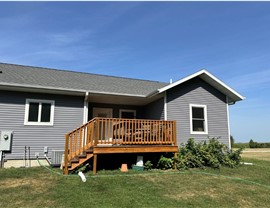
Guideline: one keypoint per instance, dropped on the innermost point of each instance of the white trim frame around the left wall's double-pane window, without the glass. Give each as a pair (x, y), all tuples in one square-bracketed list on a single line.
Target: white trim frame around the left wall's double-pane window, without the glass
[(38, 123)]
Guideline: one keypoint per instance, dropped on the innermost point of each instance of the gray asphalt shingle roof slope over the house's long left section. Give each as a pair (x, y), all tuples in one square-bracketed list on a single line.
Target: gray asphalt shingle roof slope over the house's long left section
[(44, 77)]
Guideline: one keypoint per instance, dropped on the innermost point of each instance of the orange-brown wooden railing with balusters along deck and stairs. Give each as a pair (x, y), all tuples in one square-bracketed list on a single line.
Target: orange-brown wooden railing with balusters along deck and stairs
[(114, 131)]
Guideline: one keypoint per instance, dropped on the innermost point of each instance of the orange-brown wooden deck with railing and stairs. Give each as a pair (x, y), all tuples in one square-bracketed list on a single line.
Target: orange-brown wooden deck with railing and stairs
[(111, 135)]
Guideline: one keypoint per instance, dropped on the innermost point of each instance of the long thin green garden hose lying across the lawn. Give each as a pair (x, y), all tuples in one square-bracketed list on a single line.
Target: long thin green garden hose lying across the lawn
[(161, 173)]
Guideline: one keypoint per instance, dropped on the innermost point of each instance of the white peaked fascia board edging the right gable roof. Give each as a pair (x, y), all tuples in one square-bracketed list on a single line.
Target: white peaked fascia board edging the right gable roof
[(198, 74)]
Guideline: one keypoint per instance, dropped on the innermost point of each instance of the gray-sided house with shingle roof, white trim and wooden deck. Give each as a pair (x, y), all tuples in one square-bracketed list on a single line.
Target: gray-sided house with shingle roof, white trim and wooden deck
[(40, 106)]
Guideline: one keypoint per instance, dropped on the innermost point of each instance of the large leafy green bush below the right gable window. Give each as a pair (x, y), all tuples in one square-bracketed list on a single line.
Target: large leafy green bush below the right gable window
[(207, 154)]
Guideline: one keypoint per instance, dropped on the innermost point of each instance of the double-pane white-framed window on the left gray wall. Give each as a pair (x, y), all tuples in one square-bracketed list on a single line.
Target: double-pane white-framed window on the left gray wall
[(39, 112)]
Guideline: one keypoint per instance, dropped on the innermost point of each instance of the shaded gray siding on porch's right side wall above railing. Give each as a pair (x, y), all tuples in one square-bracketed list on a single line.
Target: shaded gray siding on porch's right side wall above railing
[(155, 110)]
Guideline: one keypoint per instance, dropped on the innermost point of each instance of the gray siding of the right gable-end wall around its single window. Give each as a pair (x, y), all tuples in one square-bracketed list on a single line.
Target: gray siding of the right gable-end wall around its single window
[(196, 91)]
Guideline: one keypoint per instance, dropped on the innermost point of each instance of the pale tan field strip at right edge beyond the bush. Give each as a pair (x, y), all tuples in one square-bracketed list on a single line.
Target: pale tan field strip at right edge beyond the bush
[(257, 153)]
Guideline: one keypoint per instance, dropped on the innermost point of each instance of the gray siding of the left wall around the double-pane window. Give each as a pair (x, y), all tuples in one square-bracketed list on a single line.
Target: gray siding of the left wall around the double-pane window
[(68, 114)]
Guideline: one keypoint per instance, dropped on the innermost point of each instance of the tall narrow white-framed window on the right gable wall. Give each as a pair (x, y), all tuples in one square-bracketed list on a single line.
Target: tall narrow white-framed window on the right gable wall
[(198, 119)]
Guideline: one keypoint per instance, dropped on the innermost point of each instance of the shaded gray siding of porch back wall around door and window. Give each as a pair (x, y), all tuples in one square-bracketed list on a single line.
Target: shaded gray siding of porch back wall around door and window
[(115, 108)]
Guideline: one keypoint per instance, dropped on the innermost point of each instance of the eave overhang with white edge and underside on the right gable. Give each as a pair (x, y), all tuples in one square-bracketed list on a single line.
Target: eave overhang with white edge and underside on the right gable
[(232, 95)]
